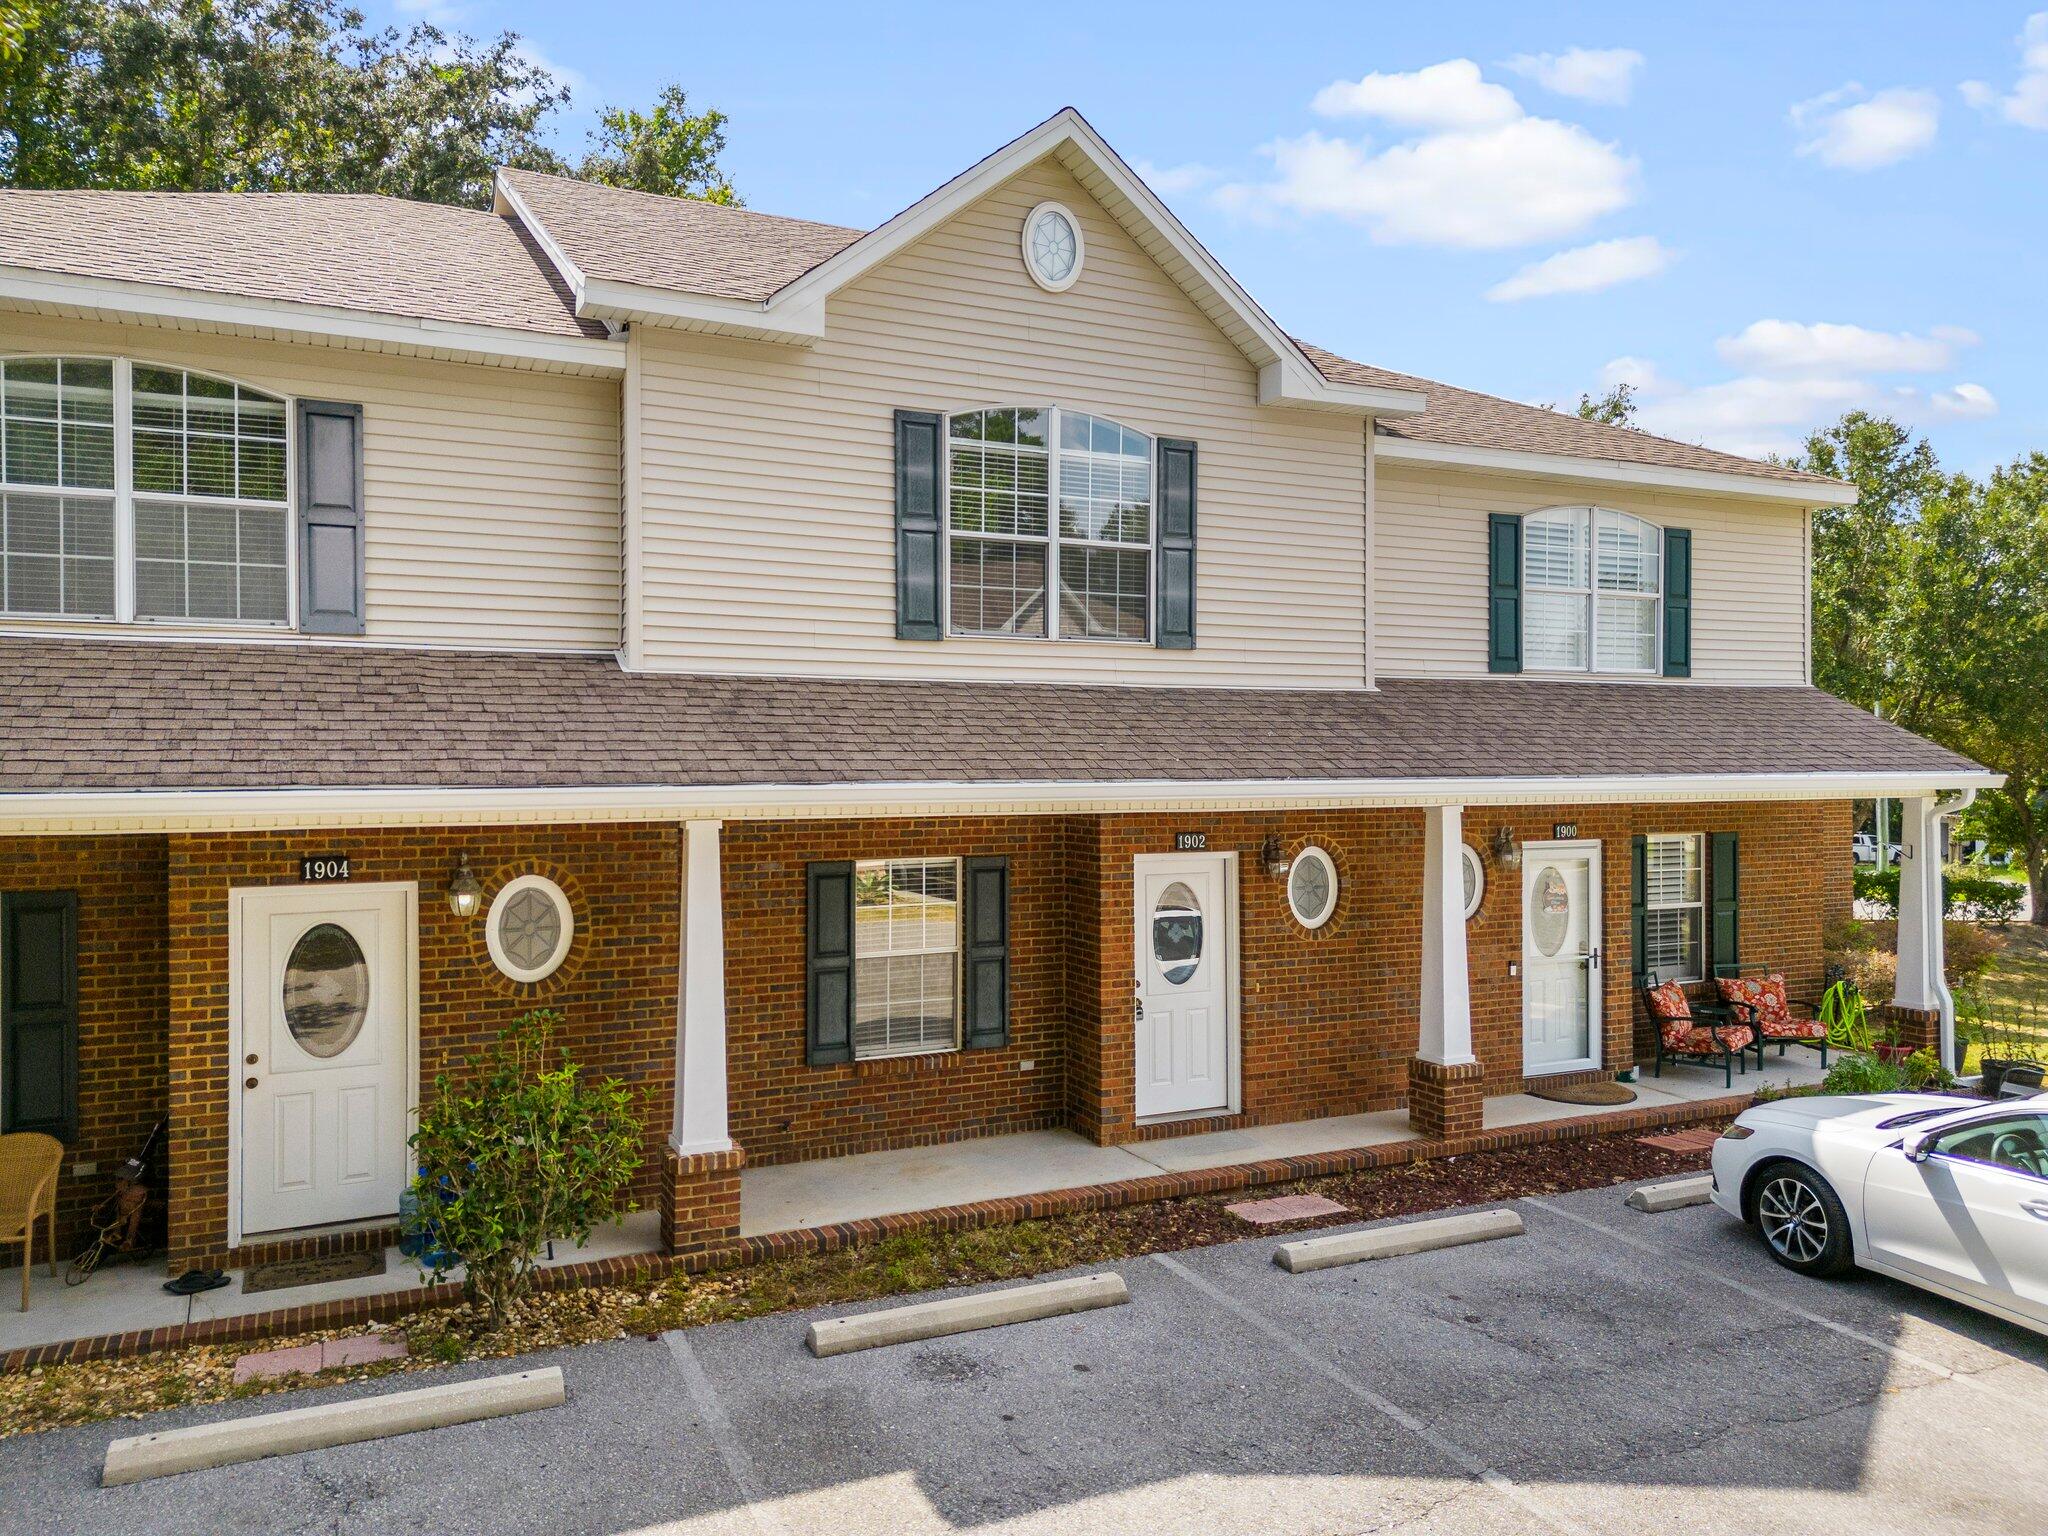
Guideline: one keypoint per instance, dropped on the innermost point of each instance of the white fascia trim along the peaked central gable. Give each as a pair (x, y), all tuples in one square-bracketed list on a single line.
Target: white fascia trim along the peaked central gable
[(1295, 382)]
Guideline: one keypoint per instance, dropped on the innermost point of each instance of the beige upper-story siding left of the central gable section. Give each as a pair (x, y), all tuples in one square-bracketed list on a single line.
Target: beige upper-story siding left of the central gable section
[(490, 495)]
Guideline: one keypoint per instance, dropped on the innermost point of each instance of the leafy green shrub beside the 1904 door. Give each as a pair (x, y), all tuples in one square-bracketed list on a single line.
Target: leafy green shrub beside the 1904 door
[(517, 1154)]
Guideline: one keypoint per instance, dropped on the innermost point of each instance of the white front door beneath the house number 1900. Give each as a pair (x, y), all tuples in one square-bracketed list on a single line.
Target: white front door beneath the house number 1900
[(1560, 957)]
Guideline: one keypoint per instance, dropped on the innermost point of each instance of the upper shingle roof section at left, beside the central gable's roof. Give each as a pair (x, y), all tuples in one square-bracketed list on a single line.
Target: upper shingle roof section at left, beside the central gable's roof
[(376, 255)]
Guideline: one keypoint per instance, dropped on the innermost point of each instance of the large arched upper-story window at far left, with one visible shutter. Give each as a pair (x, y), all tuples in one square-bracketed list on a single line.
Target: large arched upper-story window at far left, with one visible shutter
[(142, 493)]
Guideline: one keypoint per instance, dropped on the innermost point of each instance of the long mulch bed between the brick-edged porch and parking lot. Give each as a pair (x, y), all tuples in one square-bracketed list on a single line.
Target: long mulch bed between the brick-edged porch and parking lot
[(89, 1392)]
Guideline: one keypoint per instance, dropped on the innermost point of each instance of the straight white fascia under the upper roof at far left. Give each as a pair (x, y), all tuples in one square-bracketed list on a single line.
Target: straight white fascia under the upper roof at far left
[(163, 302)]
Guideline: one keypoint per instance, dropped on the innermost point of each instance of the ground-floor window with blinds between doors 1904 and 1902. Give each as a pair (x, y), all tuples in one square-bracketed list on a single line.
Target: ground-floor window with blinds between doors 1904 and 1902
[(906, 957)]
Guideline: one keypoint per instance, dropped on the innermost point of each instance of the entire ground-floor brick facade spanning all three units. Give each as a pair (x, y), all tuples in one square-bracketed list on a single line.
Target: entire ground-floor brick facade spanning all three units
[(1328, 1017)]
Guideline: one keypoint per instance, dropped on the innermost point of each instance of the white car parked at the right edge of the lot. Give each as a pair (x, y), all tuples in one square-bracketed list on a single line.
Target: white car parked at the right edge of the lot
[(1943, 1193)]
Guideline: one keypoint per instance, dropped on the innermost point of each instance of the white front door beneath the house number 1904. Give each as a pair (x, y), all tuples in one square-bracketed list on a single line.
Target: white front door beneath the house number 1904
[(325, 1041)]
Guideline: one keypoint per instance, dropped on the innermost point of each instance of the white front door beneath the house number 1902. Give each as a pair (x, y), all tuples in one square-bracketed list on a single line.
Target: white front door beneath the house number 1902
[(1185, 980)]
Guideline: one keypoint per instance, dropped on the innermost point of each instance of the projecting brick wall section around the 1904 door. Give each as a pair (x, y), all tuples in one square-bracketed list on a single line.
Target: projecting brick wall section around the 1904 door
[(615, 990)]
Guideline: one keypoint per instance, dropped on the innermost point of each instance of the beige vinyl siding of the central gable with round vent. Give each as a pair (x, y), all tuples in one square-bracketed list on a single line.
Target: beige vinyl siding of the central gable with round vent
[(769, 497)]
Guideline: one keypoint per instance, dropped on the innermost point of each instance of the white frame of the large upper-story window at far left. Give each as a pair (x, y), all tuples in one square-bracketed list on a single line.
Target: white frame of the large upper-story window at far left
[(124, 497)]
